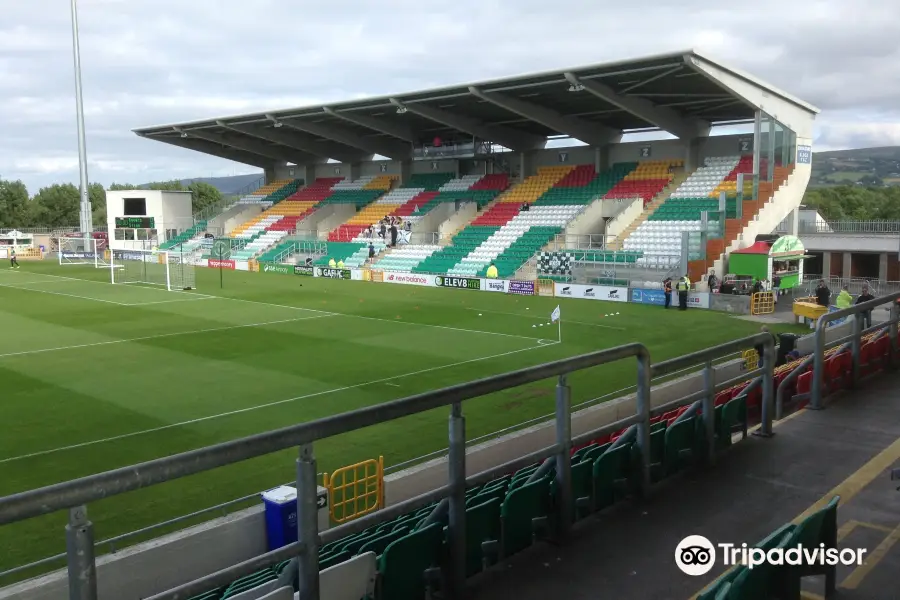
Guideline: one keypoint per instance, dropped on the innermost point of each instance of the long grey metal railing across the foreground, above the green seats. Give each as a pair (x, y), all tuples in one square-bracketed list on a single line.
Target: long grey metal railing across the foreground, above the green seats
[(74, 495)]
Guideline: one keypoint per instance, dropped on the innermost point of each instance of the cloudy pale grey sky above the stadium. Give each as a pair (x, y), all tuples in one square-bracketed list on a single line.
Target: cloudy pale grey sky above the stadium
[(149, 62)]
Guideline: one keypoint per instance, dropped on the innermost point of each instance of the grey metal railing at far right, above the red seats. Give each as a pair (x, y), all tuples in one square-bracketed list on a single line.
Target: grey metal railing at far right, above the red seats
[(855, 339)]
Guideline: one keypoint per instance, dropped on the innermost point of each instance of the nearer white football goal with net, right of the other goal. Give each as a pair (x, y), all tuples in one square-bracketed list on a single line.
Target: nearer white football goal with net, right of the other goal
[(170, 269)]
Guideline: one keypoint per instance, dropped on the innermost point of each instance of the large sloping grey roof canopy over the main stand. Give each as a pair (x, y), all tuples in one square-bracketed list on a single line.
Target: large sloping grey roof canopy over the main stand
[(682, 93)]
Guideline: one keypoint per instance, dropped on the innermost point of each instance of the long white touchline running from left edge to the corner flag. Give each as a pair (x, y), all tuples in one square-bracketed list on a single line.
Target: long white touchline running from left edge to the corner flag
[(261, 406)]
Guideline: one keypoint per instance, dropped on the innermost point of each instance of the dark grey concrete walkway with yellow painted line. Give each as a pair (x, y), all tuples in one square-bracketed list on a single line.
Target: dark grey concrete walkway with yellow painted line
[(847, 449)]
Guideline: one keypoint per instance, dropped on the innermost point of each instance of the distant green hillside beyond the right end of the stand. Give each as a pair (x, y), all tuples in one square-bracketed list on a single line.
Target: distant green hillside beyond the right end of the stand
[(866, 166)]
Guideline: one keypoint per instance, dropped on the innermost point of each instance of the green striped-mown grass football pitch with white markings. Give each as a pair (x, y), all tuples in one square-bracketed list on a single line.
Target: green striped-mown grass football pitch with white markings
[(95, 376)]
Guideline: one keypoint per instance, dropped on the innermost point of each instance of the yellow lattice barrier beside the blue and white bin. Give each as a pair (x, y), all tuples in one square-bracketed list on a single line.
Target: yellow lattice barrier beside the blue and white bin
[(355, 490)]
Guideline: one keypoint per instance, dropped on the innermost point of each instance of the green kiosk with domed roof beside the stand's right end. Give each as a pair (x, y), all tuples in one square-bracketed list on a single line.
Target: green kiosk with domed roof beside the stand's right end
[(782, 260)]
